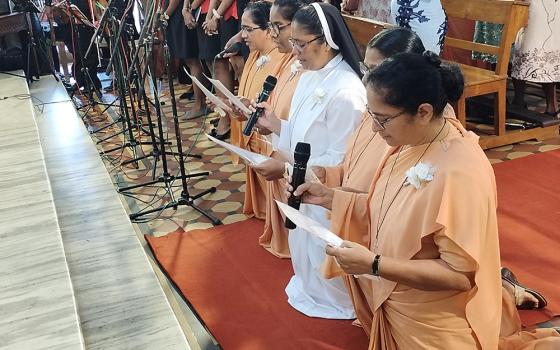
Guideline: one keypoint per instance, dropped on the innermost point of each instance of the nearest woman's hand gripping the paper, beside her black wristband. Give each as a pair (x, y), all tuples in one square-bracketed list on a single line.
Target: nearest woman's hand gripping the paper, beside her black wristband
[(353, 258)]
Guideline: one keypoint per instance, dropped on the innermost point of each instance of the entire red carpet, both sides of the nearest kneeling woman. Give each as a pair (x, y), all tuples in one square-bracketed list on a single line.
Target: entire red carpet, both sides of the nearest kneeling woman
[(238, 288)]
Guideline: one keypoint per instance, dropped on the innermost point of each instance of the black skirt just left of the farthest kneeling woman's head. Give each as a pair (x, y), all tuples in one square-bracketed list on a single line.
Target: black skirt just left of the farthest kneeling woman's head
[(211, 45)]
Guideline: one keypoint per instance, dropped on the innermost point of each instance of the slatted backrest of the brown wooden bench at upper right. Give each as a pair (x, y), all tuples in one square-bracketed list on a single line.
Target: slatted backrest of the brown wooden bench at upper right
[(512, 14)]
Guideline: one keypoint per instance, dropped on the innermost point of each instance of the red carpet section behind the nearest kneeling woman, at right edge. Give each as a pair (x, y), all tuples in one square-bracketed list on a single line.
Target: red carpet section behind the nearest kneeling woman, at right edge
[(529, 223)]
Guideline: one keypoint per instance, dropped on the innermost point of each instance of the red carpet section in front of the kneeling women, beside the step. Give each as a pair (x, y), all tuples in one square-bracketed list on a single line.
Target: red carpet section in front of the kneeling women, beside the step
[(237, 288)]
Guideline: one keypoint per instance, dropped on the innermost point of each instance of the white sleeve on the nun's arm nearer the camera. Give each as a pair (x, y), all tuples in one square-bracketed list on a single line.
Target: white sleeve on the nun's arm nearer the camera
[(344, 113)]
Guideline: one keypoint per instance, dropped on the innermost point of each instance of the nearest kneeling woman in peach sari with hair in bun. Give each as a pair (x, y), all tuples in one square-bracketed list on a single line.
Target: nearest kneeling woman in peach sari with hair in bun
[(431, 251)]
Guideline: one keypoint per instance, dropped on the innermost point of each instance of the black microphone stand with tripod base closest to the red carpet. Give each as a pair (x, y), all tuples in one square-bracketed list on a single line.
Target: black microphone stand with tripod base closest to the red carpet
[(185, 198)]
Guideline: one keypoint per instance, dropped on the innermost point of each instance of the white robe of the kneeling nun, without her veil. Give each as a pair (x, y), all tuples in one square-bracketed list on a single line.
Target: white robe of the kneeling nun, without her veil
[(325, 123)]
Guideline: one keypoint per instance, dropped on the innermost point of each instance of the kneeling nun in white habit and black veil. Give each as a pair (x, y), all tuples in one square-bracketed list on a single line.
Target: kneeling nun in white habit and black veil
[(326, 107)]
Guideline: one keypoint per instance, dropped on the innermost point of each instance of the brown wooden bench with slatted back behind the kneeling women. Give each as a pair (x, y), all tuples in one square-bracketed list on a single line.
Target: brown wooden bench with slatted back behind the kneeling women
[(513, 15)]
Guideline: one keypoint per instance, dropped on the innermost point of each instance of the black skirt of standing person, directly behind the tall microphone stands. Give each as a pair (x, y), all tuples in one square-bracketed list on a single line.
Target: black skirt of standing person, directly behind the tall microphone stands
[(182, 42)]
